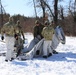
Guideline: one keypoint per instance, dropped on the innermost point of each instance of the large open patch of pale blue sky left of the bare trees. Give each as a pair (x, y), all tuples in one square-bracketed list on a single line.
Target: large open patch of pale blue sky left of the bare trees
[(18, 7)]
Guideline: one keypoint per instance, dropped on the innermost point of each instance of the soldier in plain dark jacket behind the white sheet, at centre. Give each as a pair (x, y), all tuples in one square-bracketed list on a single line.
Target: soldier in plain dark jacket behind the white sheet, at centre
[(37, 31)]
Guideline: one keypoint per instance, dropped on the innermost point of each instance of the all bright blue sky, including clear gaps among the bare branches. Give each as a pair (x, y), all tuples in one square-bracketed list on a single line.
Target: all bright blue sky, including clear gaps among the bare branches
[(25, 7)]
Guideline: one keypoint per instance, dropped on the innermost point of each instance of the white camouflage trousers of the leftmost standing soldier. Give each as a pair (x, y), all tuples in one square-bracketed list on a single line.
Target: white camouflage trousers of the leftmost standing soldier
[(10, 47)]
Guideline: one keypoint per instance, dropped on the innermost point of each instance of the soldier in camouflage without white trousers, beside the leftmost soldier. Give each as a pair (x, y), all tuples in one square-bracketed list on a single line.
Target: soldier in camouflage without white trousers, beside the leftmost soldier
[(18, 40)]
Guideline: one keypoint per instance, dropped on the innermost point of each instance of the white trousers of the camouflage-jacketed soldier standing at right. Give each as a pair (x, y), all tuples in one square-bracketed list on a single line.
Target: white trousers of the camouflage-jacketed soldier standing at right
[(47, 47)]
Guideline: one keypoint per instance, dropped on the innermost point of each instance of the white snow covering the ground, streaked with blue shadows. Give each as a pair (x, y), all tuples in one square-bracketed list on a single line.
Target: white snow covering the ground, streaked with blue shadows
[(63, 63)]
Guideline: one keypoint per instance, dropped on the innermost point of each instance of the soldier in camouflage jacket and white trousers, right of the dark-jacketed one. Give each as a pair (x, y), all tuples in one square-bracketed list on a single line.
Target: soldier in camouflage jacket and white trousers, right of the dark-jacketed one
[(47, 33)]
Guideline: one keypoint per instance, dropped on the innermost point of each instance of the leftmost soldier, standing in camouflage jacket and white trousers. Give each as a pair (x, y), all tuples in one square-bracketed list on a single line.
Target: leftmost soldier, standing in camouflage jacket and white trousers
[(8, 30)]
